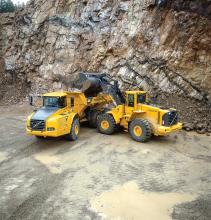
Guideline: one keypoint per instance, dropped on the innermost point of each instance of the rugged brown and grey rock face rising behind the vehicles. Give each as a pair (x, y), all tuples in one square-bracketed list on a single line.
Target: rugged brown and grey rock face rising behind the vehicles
[(161, 46)]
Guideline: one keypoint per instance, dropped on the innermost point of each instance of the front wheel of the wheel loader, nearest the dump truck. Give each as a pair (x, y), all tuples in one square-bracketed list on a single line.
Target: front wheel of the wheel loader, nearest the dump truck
[(106, 124)]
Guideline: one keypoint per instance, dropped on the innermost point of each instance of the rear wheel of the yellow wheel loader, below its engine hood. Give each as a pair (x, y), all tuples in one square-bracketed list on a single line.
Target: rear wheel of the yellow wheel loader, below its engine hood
[(140, 130)]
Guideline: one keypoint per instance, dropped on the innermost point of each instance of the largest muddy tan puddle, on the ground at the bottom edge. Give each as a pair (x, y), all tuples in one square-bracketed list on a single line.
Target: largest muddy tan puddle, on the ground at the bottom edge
[(128, 202)]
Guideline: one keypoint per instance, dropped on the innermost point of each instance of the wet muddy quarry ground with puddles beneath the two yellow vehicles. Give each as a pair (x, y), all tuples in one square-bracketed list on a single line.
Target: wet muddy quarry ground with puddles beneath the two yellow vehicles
[(102, 177)]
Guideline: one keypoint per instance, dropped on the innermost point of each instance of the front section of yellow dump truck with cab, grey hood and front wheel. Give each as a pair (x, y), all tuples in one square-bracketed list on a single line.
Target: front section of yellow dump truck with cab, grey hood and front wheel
[(59, 115)]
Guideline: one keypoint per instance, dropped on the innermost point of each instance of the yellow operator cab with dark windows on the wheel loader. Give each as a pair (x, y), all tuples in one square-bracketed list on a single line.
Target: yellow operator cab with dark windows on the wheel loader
[(133, 99)]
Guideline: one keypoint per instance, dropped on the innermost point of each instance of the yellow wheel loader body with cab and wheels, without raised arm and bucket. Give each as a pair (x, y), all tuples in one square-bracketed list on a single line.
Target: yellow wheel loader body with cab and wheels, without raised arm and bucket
[(139, 118)]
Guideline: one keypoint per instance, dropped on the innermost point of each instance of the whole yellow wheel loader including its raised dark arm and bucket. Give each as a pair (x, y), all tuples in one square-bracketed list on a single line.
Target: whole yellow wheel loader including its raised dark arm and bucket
[(131, 112)]
